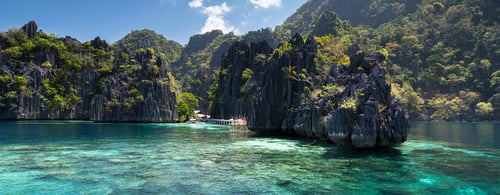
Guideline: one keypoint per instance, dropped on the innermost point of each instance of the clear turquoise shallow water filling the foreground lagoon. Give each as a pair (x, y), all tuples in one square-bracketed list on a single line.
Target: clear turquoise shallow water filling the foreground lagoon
[(55, 157)]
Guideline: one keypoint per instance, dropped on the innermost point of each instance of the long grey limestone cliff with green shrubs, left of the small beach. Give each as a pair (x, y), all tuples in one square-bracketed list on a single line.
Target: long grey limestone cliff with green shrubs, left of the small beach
[(45, 77)]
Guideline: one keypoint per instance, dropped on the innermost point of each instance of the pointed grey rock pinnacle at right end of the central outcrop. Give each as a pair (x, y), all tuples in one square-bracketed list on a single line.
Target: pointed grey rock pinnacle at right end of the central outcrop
[(367, 115)]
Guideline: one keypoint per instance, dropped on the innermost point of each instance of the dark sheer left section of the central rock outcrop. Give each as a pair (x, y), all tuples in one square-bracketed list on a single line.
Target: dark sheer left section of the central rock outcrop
[(270, 101)]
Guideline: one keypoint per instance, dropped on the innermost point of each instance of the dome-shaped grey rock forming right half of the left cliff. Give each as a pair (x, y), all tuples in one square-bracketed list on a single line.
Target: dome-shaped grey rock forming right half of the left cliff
[(141, 95)]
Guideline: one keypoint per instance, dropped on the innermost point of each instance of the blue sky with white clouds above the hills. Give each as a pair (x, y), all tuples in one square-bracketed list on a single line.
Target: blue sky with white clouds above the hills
[(175, 19)]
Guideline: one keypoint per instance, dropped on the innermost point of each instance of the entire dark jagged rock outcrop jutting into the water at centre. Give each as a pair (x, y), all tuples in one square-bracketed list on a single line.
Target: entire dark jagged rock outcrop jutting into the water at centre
[(289, 93)]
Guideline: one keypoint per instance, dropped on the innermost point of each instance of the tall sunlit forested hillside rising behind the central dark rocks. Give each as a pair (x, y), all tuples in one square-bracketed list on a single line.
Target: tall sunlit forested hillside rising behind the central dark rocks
[(443, 55)]
